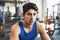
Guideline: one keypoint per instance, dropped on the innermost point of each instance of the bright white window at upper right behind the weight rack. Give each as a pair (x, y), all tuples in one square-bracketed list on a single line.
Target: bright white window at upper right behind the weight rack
[(50, 4)]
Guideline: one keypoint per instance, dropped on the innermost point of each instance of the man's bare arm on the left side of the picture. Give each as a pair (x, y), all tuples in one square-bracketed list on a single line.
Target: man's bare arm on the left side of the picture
[(14, 33)]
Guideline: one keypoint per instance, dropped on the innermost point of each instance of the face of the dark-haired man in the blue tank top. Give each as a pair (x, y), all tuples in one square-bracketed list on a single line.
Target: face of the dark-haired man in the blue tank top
[(30, 16)]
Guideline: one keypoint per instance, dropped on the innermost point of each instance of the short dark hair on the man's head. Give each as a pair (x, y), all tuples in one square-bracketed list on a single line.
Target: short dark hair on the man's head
[(28, 6)]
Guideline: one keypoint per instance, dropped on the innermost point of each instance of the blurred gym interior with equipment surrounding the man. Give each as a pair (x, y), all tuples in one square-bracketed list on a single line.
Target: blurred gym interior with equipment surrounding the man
[(48, 16)]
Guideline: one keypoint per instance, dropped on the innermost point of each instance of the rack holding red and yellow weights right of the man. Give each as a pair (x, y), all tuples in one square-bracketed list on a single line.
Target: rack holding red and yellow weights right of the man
[(48, 21)]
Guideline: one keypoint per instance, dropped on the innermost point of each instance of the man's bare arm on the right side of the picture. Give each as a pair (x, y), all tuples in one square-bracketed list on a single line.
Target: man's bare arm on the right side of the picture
[(42, 32)]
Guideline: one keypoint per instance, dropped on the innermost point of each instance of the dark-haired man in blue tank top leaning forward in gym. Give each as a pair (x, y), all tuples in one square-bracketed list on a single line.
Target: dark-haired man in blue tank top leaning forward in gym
[(28, 28)]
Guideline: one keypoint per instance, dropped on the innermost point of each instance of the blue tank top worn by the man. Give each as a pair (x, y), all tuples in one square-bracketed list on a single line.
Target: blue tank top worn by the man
[(27, 36)]
